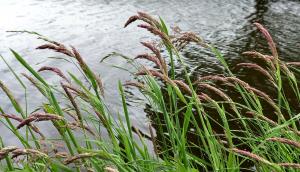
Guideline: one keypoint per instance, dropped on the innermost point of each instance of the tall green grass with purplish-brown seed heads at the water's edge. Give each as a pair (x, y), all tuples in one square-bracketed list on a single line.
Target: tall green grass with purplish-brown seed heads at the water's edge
[(213, 123)]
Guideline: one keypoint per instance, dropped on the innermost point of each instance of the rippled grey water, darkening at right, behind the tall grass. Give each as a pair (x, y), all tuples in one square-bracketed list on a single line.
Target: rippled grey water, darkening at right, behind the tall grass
[(95, 27)]
